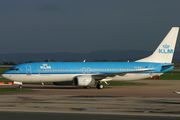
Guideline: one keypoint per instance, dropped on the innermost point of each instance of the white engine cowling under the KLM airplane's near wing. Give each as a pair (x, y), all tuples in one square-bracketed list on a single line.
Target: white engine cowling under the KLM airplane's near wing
[(84, 80)]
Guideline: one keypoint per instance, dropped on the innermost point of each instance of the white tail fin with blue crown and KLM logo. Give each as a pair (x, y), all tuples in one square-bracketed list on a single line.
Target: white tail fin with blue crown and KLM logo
[(165, 51)]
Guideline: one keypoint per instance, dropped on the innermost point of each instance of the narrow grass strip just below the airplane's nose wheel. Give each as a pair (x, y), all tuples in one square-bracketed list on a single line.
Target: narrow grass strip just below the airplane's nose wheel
[(5, 90)]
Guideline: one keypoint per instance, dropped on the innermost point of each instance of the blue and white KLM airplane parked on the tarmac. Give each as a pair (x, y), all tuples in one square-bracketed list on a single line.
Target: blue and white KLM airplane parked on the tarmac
[(85, 74)]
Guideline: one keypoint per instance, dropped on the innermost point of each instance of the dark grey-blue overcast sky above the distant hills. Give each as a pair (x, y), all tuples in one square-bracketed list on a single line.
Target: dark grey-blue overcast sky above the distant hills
[(83, 26)]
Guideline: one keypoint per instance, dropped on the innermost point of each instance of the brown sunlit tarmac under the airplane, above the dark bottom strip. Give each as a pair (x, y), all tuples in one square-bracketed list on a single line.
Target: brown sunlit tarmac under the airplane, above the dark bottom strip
[(153, 98)]
